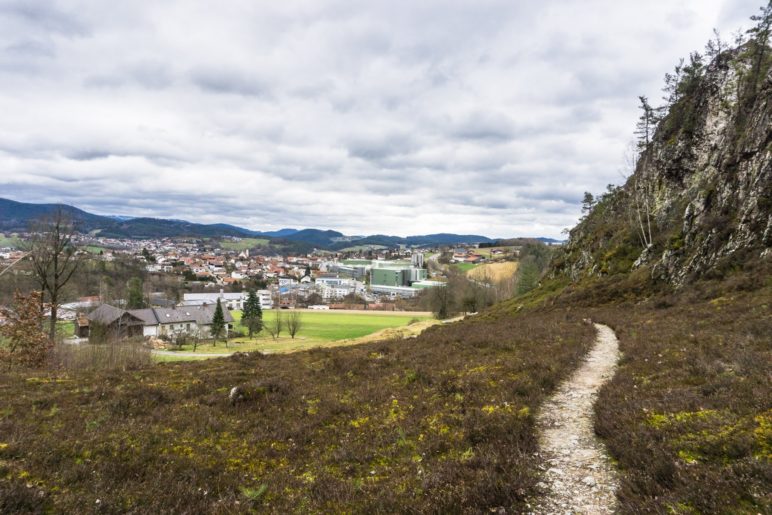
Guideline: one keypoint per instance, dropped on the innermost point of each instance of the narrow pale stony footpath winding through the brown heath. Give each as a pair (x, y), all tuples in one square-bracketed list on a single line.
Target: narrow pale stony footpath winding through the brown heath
[(579, 477)]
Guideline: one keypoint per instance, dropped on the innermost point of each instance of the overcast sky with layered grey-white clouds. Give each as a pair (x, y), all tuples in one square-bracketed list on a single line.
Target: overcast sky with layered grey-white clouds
[(399, 117)]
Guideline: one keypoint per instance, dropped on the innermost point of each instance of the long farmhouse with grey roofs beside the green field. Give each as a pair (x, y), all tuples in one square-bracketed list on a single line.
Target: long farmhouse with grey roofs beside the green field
[(159, 322)]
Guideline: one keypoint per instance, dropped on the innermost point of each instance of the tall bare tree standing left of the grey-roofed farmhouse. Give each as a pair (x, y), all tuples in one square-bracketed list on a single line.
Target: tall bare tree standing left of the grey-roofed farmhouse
[(54, 259)]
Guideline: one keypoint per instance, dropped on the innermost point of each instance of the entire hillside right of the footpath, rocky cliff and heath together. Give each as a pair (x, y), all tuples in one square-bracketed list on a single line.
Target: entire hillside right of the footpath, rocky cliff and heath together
[(688, 415)]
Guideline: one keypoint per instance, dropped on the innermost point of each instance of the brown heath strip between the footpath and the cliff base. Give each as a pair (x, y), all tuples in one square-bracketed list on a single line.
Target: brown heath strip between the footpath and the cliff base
[(688, 415)]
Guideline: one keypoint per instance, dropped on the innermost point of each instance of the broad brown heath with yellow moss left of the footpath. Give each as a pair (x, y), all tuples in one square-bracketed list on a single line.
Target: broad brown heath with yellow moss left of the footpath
[(441, 423)]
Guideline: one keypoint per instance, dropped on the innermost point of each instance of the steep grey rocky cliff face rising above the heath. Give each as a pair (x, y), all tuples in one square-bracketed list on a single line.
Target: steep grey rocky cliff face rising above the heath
[(700, 196)]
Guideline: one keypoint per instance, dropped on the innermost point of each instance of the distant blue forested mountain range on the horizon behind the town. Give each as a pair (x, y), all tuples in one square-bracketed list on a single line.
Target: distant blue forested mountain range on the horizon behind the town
[(16, 216)]
